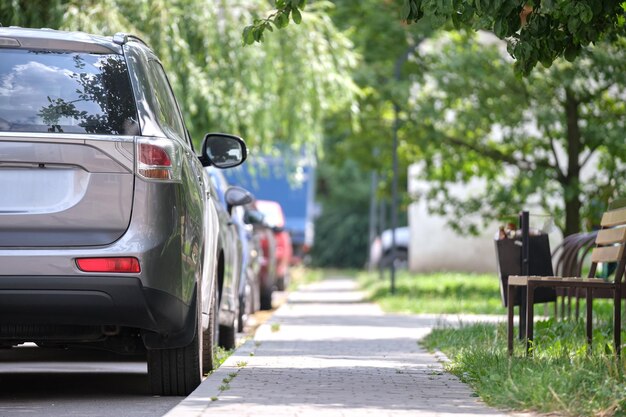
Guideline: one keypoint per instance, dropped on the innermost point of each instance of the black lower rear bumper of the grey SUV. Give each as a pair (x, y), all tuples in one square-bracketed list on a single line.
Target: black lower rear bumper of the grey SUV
[(91, 301)]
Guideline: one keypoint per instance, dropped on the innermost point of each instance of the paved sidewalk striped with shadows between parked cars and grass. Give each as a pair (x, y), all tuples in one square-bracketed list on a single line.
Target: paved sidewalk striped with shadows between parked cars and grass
[(327, 353)]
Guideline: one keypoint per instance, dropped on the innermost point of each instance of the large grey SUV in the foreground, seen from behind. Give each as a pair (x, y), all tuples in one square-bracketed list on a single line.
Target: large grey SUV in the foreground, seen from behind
[(108, 237)]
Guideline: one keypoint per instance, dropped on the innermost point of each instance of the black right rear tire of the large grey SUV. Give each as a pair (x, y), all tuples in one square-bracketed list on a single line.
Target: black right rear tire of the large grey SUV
[(177, 371)]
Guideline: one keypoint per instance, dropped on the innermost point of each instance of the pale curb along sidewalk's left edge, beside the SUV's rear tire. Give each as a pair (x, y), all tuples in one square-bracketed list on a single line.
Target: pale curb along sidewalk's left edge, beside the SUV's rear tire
[(199, 400)]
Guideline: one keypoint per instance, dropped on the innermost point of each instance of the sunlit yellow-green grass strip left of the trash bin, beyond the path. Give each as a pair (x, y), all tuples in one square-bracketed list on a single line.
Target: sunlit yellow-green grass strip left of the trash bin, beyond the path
[(437, 293)]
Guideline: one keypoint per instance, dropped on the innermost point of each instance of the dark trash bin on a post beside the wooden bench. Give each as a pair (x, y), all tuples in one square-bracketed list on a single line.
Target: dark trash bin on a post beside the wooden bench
[(509, 258)]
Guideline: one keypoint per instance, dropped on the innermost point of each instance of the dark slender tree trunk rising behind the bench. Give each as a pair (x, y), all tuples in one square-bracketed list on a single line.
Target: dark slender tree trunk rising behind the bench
[(571, 185)]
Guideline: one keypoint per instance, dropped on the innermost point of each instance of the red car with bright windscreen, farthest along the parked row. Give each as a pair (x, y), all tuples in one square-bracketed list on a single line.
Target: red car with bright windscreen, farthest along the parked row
[(275, 218)]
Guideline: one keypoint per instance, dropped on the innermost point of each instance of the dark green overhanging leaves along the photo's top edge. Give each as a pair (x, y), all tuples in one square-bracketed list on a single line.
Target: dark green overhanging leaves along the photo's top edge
[(536, 30)]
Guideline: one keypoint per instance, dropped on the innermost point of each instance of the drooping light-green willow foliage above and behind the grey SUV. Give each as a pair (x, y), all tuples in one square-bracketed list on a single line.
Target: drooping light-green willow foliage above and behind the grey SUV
[(279, 92)]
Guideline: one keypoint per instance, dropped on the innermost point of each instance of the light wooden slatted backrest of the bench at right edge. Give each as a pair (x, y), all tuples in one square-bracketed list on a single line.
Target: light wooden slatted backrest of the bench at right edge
[(610, 242)]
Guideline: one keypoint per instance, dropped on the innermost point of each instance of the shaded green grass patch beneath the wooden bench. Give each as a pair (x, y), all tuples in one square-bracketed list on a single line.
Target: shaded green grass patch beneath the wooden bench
[(560, 378)]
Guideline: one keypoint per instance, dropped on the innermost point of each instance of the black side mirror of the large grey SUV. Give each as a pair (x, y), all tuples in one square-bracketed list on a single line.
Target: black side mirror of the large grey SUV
[(223, 150)]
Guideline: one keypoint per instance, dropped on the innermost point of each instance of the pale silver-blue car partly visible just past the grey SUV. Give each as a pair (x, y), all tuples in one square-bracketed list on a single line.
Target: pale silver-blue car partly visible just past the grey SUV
[(234, 248)]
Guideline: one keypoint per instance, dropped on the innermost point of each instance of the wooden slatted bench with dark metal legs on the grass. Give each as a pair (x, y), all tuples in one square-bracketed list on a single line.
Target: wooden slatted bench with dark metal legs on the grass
[(610, 242)]
